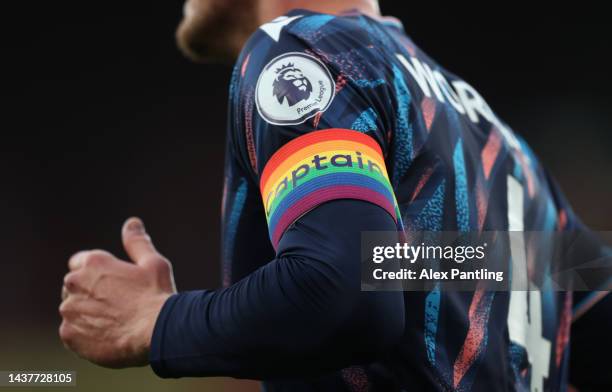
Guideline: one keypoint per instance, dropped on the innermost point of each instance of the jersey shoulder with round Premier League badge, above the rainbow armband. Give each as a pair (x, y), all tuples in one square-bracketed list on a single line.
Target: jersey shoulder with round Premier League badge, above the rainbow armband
[(302, 73)]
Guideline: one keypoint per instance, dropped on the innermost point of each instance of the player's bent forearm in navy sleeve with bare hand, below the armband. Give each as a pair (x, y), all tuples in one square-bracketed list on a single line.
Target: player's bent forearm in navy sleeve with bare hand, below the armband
[(302, 313)]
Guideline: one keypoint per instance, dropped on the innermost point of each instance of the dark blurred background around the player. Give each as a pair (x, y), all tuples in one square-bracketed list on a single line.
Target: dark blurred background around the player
[(107, 120)]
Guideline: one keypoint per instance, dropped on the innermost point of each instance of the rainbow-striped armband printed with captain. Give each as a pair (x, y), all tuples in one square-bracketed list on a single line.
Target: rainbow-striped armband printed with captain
[(321, 166)]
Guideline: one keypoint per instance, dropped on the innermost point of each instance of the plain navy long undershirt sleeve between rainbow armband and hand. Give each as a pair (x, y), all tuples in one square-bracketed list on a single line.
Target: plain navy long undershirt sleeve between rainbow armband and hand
[(300, 314)]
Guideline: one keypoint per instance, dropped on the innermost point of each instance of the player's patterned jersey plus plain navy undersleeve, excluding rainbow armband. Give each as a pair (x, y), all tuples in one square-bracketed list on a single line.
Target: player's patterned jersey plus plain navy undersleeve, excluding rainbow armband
[(292, 314)]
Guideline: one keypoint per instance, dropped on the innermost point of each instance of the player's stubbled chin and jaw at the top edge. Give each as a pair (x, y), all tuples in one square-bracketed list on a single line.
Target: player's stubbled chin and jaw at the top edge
[(216, 29)]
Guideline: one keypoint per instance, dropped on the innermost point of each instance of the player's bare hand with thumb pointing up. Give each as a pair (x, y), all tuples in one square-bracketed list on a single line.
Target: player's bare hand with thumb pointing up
[(109, 306)]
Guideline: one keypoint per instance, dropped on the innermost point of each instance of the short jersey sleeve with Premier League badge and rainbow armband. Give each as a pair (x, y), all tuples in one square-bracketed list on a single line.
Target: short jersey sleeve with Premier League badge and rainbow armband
[(311, 127)]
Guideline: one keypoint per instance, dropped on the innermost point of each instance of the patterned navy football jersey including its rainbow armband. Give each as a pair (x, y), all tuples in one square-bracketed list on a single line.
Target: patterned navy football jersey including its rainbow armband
[(442, 161)]
